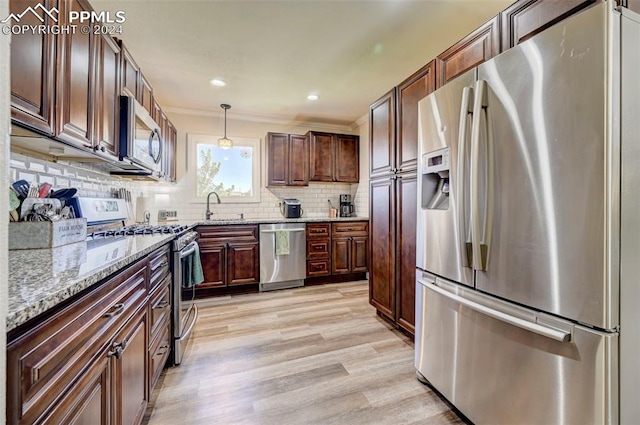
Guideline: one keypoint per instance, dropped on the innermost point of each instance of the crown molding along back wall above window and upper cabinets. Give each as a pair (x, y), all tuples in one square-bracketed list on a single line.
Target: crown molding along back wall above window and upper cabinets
[(269, 119)]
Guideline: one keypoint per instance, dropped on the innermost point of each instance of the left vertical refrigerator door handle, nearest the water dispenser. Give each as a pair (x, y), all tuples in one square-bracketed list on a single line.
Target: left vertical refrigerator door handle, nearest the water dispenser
[(466, 109)]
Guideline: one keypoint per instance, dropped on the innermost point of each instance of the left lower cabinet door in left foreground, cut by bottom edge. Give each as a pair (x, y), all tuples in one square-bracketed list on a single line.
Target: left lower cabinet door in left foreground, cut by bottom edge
[(88, 400)]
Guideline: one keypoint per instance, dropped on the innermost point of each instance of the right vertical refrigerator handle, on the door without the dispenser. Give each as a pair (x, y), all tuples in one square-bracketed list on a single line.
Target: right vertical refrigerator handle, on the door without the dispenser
[(479, 244)]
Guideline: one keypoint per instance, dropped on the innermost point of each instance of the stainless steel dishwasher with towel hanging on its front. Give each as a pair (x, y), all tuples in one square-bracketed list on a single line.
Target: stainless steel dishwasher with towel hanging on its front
[(283, 249)]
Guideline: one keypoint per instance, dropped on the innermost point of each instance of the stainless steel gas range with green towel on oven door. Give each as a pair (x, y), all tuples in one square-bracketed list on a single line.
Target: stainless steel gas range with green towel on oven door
[(105, 221)]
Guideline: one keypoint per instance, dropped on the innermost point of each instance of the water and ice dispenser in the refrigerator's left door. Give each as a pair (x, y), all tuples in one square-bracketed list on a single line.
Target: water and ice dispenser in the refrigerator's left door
[(435, 179)]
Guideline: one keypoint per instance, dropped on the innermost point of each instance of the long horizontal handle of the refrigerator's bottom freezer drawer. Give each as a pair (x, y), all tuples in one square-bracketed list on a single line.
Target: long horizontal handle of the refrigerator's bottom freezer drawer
[(546, 331)]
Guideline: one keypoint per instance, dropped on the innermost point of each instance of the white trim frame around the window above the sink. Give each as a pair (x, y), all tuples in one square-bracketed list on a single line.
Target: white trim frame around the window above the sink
[(192, 161)]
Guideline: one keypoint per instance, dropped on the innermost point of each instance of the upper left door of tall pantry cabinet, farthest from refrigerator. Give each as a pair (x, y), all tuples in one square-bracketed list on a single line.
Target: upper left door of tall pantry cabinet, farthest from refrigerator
[(382, 135)]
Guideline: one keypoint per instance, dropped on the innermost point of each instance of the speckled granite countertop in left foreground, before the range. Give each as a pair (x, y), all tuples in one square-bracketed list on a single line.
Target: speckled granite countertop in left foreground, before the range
[(39, 279)]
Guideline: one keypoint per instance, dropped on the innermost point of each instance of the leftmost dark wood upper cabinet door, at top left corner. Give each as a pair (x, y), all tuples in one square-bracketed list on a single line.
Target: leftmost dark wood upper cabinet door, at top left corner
[(32, 71)]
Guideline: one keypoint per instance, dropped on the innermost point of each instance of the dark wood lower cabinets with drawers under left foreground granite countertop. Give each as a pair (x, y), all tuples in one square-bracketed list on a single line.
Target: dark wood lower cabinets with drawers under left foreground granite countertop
[(88, 362)]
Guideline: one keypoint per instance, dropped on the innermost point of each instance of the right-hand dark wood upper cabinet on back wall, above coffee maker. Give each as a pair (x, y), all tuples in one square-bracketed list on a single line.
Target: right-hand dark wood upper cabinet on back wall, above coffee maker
[(333, 157)]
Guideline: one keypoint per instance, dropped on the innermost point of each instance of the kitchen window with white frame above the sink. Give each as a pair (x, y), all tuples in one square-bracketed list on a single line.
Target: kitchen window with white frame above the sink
[(234, 174)]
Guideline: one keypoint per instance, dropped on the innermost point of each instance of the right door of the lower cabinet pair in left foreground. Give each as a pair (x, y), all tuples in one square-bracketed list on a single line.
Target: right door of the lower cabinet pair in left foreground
[(131, 371)]
